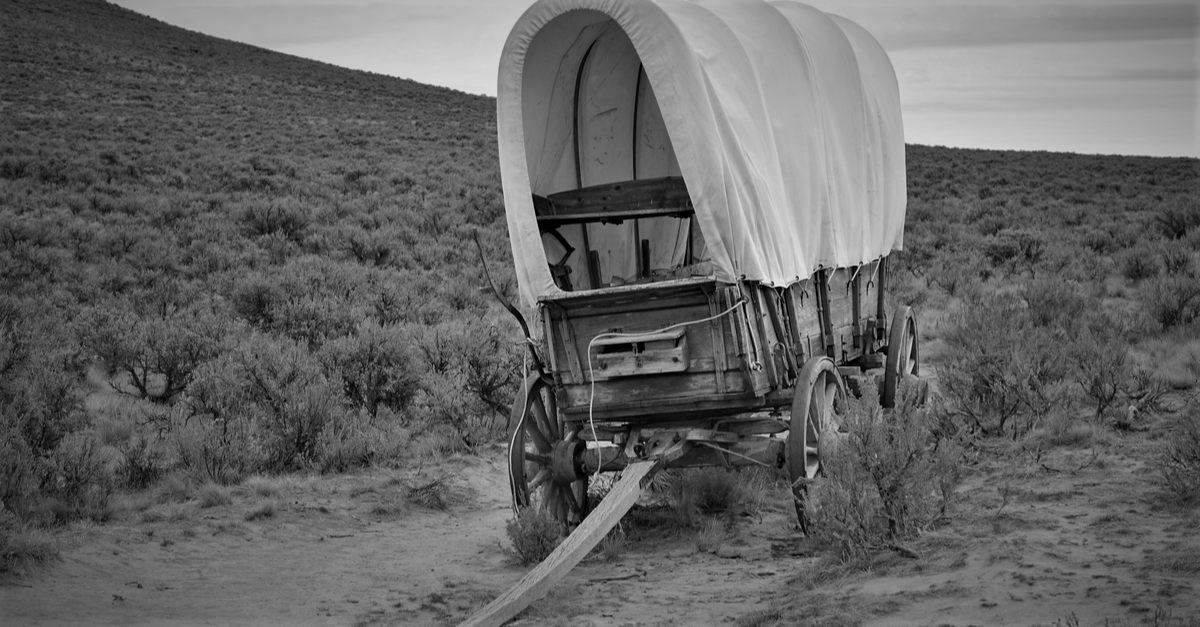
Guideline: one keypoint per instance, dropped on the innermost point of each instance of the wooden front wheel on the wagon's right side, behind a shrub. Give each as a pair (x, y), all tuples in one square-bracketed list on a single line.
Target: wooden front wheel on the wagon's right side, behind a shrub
[(820, 398)]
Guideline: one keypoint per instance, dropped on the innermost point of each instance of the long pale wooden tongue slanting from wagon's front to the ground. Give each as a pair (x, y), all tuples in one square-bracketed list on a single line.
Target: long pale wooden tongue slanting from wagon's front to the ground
[(599, 523)]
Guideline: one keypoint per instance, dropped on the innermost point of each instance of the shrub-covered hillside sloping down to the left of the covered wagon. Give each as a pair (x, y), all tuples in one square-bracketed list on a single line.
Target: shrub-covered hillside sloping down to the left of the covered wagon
[(170, 201)]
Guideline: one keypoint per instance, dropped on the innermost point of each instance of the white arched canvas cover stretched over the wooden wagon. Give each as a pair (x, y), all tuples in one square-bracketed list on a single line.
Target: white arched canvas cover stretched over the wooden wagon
[(784, 123)]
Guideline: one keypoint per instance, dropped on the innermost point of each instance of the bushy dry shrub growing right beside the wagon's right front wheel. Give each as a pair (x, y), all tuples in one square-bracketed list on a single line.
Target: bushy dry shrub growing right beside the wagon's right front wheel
[(892, 476)]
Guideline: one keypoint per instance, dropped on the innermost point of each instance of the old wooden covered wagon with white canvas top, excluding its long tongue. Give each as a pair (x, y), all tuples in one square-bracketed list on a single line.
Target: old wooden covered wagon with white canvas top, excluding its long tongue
[(701, 200)]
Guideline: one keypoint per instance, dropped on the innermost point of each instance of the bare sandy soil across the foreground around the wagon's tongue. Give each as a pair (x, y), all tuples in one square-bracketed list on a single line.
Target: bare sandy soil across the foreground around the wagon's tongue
[(1071, 538)]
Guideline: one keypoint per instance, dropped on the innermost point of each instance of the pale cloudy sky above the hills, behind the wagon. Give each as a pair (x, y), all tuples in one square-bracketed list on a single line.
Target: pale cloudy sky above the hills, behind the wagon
[(1084, 76)]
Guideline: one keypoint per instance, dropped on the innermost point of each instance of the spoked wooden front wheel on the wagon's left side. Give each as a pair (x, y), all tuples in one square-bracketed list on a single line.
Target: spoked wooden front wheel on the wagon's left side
[(542, 453)]
